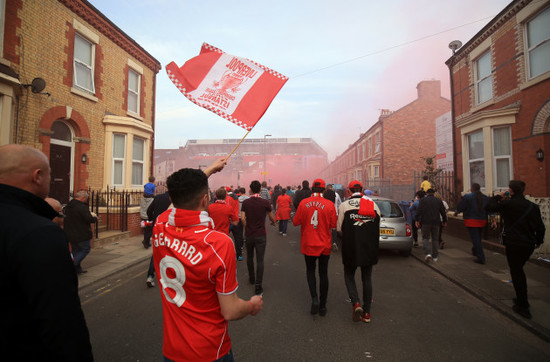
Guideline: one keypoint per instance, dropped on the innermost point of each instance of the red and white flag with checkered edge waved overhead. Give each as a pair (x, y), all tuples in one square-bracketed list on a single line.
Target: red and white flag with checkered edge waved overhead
[(234, 88)]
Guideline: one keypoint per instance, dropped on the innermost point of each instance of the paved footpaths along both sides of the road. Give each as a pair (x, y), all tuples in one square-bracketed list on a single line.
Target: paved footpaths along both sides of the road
[(490, 282)]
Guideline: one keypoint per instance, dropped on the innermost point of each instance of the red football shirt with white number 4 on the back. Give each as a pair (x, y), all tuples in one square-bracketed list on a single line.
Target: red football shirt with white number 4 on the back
[(317, 216)]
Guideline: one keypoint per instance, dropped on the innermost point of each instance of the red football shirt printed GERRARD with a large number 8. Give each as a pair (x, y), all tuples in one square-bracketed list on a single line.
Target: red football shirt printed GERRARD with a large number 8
[(193, 264)]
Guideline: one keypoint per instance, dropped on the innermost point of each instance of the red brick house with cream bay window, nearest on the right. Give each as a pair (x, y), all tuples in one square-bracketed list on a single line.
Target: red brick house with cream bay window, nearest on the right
[(500, 89)]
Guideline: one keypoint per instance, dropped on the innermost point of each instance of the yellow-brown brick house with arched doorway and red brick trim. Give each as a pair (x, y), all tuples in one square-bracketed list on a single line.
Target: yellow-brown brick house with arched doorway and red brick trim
[(75, 86)]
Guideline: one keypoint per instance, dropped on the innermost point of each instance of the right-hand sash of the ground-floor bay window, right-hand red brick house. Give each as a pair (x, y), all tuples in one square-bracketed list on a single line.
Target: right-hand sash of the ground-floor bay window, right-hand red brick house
[(502, 153)]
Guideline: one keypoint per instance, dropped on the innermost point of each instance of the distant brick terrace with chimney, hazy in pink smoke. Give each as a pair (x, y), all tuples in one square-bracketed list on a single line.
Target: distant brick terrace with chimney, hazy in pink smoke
[(392, 149)]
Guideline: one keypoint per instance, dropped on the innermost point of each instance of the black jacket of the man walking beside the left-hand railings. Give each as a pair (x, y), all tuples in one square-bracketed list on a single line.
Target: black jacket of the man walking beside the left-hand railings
[(77, 222)]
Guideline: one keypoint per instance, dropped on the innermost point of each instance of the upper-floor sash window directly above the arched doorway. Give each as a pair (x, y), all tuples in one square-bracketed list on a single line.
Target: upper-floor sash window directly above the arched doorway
[(84, 55)]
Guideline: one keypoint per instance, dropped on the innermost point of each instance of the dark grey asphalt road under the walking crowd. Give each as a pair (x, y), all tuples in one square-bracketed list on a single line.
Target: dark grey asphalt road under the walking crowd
[(417, 315)]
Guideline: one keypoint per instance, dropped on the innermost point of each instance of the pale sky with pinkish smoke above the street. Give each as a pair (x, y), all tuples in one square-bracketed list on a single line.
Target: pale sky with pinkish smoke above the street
[(346, 60)]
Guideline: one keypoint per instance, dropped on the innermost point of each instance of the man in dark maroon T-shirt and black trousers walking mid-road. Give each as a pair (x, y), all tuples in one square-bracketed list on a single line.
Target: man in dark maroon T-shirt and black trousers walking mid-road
[(253, 215)]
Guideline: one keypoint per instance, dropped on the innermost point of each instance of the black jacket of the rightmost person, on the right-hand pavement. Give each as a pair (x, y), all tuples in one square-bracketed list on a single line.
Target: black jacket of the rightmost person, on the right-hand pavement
[(519, 229)]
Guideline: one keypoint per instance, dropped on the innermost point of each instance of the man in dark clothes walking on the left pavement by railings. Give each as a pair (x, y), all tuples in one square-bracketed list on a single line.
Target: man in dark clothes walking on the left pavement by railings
[(78, 219)]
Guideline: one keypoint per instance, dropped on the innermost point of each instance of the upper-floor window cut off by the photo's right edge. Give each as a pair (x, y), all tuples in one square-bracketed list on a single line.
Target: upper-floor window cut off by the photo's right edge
[(538, 43)]
